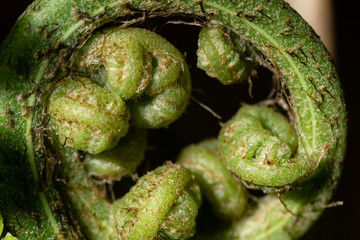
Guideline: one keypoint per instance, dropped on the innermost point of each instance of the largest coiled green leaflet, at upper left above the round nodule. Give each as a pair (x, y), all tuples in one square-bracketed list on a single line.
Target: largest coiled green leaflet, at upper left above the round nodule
[(139, 66)]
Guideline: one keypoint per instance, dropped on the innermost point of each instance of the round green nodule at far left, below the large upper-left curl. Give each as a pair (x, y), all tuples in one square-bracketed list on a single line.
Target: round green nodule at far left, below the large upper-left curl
[(86, 116)]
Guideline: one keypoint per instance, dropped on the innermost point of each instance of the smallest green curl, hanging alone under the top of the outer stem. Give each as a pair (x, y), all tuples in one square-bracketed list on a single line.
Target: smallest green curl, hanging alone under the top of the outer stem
[(225, 56)]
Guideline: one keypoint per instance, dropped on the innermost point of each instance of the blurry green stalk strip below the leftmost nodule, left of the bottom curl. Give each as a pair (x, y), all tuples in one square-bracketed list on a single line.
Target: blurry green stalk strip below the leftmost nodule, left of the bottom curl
[(87, 200)]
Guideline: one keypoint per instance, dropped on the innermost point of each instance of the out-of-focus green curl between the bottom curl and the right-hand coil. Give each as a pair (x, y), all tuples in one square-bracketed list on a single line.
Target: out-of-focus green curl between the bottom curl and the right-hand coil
[(227, 197)]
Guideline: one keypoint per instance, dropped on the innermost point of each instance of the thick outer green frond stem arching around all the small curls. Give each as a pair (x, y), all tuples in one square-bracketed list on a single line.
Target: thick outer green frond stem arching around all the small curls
[(44, 38)]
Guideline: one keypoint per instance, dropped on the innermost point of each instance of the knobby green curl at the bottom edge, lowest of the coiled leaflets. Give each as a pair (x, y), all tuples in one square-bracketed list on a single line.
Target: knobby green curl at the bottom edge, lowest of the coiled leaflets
[(162, 204)]
